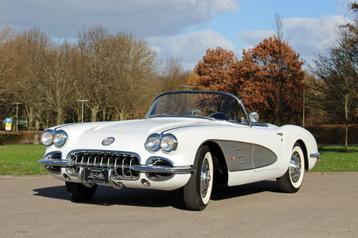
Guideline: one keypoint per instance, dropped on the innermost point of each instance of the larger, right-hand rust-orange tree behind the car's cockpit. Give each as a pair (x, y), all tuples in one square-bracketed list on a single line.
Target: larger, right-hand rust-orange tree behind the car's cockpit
[(273, 80)]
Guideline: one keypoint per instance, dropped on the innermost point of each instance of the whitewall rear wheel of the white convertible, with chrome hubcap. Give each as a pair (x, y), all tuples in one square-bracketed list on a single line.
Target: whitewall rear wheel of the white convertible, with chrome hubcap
[(292, 180)]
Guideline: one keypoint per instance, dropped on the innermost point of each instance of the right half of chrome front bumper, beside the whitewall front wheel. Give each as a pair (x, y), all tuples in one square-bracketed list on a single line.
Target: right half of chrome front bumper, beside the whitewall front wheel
[(163, 169)]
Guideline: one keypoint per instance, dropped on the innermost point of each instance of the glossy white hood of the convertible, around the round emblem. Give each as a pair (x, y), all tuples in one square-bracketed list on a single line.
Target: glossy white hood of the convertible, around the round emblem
[(129, 135)]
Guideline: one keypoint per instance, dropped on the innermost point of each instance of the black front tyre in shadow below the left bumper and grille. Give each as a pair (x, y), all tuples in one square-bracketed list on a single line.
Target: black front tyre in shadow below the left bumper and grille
[(79, 192)]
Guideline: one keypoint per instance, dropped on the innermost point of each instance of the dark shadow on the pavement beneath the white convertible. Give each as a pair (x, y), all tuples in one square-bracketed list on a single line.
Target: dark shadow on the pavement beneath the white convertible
[(108, 196)]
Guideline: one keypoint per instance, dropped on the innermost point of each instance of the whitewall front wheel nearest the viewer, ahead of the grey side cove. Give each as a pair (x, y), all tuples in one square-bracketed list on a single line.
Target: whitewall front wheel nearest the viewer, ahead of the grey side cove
[(197, 191)]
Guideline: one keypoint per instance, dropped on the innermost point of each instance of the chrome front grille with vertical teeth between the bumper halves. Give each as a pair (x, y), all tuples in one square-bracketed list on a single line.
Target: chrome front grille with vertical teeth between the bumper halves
[(119, 162)]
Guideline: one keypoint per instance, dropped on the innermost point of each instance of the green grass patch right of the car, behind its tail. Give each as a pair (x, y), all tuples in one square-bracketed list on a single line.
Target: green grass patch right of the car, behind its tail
[(336, 159)]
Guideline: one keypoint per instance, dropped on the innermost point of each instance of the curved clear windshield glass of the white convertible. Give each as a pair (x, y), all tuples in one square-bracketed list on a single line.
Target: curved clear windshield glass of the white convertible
[(211, 105)]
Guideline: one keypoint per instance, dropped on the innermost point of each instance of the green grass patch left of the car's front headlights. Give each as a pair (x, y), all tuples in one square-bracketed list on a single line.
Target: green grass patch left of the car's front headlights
[(21, 159)]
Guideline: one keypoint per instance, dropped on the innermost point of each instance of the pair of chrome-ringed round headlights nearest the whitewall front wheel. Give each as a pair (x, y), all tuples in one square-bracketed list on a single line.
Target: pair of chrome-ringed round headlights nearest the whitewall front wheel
[(161, 139)]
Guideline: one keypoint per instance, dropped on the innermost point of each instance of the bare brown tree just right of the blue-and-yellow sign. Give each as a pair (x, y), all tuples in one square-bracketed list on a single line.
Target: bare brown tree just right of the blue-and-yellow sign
[(31, 57)]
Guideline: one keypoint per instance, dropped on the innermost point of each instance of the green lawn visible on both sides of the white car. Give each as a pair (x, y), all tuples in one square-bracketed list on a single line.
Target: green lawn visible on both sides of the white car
[(22, 159)]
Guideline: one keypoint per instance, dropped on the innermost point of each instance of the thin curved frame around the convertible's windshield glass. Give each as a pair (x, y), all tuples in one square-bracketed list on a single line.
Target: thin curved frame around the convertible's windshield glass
[(238, 99)]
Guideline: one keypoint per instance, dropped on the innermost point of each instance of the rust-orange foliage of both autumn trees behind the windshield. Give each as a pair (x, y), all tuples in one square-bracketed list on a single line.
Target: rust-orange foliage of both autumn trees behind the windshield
[(269, 78)]
